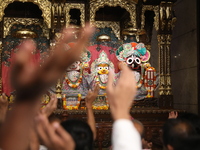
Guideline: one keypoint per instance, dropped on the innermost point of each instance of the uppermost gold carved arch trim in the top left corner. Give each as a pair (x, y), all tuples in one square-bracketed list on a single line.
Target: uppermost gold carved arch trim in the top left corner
[(44, 5)]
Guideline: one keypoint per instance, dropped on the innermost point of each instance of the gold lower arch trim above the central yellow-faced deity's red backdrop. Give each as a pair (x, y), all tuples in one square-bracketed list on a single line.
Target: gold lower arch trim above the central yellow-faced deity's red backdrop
[(115, 26)]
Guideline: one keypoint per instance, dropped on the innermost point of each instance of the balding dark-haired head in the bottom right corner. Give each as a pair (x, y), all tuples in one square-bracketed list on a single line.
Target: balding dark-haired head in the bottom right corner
[(180, 134)]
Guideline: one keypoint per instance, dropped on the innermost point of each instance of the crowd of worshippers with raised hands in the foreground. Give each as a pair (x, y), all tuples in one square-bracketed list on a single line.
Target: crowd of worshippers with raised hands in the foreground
[(27, 127)]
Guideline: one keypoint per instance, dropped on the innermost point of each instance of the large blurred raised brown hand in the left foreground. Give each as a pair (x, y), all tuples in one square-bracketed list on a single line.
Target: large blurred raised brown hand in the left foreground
[(30, 80)]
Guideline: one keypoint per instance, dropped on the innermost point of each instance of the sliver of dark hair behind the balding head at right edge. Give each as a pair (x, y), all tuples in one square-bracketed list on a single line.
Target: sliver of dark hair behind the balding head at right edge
[(193, 119)]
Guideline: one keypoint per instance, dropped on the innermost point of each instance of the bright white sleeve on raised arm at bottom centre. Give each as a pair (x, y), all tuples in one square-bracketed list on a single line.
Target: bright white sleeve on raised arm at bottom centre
[(125, 136)]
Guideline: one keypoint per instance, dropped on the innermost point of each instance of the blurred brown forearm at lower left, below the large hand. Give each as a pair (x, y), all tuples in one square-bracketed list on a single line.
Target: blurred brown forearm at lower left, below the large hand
[(17, 127)]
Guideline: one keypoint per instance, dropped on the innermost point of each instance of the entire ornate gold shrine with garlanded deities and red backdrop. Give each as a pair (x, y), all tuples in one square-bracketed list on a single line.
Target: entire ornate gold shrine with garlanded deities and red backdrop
[(124, 34)]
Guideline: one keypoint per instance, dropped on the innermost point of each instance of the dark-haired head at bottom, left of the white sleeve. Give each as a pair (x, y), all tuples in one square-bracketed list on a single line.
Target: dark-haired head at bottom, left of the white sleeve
[(80, 132)]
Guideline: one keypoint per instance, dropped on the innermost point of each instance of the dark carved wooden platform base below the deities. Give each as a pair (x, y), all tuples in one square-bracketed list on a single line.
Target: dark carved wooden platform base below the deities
[(152, 119)]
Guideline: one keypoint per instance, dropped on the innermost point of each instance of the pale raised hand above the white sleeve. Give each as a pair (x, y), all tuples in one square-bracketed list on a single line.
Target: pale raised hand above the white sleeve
[(122, 95)]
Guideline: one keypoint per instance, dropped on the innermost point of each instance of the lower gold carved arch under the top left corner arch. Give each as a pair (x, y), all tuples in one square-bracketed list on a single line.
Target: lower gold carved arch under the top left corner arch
[(9, 22)]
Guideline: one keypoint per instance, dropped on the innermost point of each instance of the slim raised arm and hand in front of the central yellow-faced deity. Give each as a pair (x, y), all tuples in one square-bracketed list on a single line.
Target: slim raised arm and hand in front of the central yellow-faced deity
[(91, 96)]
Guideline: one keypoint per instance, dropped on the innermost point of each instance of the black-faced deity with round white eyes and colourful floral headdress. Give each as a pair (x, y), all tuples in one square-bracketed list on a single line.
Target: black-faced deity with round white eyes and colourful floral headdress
[(136, 56)]
